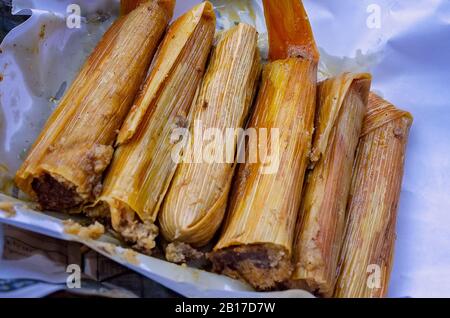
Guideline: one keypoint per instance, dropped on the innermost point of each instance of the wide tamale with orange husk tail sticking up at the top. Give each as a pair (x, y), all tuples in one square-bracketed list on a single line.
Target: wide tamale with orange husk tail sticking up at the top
[(256, 242)]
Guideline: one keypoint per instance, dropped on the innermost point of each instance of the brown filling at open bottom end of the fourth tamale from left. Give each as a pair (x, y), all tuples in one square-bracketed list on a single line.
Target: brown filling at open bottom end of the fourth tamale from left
[(262, 266)]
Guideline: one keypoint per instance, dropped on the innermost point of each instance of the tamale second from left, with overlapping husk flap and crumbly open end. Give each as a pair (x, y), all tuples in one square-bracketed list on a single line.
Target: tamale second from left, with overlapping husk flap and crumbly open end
[(142, 167)]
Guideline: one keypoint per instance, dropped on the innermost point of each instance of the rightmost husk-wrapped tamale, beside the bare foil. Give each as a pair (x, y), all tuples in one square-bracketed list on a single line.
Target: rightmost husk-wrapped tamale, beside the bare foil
[(367, 252)]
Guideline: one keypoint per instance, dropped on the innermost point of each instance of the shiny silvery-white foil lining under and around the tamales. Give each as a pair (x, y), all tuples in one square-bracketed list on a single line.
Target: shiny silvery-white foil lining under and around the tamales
[(404, 44)]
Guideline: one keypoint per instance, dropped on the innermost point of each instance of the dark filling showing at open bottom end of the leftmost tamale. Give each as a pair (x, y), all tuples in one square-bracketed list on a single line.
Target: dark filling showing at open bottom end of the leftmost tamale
[(53, 195)]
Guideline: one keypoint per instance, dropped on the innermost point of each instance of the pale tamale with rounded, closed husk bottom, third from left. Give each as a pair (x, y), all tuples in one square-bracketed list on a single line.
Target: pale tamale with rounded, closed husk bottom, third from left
[(195, 203)]
